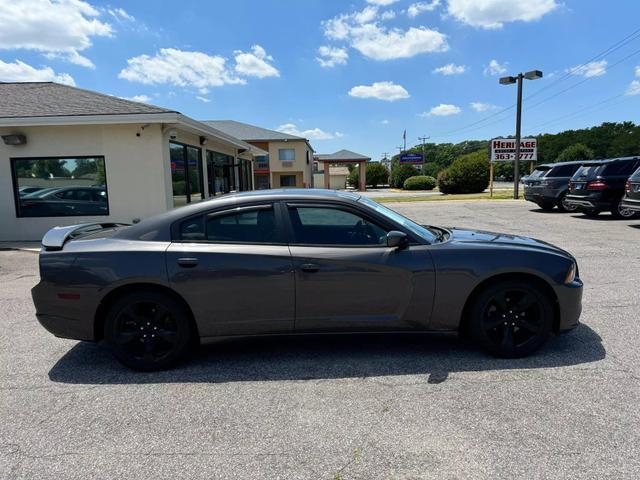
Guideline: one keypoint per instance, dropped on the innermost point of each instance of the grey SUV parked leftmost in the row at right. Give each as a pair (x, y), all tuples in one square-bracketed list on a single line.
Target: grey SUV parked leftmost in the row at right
[(548, 185)]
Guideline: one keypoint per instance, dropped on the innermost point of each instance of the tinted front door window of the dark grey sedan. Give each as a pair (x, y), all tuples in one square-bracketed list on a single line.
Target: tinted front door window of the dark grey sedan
[(332, 226)]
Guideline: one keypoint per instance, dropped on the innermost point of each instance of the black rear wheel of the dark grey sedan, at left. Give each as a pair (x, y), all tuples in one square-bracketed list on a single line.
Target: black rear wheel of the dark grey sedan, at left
[(148, 331)]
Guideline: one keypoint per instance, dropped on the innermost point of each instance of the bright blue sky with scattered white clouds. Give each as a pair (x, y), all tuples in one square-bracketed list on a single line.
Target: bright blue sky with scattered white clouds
[(349, 75)]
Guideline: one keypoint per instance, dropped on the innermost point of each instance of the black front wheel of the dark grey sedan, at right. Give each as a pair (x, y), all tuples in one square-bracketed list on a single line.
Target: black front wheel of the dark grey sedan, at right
[(511, 319)]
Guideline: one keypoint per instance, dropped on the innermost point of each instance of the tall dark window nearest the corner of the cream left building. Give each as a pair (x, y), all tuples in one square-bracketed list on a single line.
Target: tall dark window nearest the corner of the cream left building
[(186, 163)]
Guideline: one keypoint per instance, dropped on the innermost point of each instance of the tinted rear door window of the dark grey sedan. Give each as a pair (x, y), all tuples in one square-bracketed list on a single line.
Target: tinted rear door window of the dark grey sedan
[(254, 226)]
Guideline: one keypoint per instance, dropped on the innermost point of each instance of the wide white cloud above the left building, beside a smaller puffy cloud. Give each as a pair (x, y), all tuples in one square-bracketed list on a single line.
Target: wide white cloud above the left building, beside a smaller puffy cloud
[(178, 67)]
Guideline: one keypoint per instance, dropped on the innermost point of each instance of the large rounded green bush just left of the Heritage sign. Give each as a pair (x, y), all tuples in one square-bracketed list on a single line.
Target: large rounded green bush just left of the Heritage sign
[(467, 174)]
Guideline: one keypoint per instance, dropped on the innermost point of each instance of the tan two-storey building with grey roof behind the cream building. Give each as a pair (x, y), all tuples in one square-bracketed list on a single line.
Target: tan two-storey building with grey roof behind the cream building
[(290, 159)]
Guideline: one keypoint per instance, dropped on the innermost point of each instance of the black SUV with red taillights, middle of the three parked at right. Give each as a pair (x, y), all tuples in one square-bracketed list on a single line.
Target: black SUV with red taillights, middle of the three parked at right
[(599, 186)]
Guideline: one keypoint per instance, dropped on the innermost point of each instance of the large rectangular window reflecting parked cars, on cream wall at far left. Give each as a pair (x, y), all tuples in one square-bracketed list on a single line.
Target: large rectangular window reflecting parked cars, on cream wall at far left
[(60, 186)]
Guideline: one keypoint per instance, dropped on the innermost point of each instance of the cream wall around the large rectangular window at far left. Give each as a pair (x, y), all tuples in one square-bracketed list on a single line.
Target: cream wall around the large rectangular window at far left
[(135, 168)]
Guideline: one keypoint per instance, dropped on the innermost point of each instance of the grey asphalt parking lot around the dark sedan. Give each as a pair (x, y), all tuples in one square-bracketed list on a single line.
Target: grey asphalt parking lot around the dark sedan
[(362, 407)]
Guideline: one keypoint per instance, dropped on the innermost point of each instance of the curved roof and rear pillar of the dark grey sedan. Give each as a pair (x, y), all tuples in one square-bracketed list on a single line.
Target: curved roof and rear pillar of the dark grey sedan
[(157, 227)]
